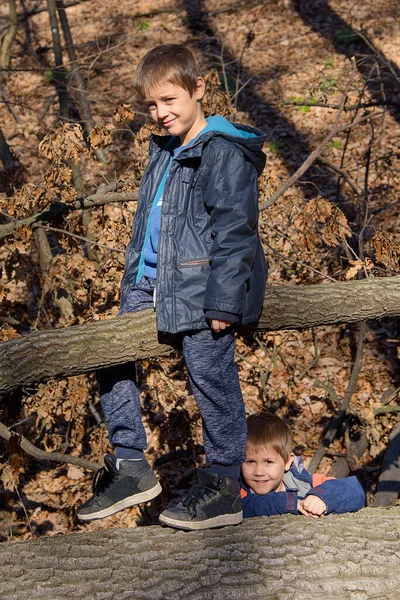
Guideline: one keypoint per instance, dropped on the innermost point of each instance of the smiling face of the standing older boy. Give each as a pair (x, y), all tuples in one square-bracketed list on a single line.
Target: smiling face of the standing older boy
[(172, 107)]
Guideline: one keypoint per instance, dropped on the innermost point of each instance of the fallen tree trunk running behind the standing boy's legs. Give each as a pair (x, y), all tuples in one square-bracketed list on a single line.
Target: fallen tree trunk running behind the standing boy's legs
[(62, 352)]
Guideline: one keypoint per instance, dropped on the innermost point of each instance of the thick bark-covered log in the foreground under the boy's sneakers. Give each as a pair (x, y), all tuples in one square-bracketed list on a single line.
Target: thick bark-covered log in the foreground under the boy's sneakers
[(340, 557)]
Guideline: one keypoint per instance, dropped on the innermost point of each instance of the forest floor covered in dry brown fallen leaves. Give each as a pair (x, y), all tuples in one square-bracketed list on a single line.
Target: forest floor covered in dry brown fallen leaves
[(268, 55)]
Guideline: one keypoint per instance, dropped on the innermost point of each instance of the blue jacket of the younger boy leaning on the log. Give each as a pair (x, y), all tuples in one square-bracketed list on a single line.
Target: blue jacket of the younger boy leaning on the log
[(340, 495)]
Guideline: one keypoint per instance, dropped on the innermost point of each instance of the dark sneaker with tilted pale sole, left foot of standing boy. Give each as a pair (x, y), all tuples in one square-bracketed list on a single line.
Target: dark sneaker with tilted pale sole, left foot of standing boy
[(115, 489)]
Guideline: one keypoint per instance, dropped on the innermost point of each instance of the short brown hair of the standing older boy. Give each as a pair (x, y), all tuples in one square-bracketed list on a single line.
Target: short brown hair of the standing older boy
[(172, 63)]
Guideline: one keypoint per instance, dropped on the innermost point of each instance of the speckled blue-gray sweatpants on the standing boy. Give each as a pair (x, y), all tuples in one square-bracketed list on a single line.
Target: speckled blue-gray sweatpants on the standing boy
[(214, 381)]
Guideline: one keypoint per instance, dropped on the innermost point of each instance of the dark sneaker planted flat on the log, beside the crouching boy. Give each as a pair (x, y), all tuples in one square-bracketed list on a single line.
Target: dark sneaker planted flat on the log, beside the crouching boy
[(210, 503)]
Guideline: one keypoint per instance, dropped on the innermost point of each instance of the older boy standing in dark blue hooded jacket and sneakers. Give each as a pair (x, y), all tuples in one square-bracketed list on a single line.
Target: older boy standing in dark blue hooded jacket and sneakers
[(196, 249)]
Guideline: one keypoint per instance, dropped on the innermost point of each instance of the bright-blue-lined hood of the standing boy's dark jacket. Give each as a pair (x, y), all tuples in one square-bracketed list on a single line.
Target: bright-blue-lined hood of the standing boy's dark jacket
[(248, 139)]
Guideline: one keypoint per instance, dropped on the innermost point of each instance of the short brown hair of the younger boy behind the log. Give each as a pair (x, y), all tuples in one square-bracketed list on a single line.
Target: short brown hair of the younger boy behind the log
[(269, 431)]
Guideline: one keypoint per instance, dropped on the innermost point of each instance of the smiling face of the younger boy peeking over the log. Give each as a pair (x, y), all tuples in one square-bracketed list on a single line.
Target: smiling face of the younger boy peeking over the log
[(263, 470)]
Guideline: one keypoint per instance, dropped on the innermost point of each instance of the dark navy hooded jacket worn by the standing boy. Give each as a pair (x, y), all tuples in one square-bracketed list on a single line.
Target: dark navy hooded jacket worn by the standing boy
[(209, 256)]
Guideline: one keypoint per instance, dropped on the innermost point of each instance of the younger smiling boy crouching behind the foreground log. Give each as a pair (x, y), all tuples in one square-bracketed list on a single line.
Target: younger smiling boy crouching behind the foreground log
[(275, 481)]
